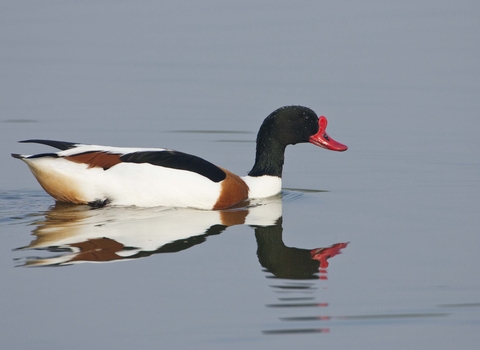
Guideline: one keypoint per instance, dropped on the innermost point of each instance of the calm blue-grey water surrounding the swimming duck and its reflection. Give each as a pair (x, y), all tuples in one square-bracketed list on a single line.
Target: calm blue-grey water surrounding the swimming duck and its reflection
[(400, 86)]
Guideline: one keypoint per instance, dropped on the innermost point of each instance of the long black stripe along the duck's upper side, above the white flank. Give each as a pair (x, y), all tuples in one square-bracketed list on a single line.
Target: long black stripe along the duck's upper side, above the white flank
[(177, 160)]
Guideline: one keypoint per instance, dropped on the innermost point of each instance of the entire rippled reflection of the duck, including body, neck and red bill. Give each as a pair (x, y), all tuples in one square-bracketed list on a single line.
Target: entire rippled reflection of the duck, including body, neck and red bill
[(79, 234)]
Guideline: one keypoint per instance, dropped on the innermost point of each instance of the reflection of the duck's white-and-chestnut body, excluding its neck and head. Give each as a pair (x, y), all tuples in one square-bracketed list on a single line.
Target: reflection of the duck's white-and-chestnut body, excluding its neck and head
[(82, 234)]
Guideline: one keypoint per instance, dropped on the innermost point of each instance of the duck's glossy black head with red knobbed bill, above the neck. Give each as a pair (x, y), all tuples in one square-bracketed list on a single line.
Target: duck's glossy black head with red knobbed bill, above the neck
[(296, 124)]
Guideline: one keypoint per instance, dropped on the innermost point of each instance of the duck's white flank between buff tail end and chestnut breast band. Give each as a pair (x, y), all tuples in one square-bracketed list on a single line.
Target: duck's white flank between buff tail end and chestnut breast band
[(143, 185)]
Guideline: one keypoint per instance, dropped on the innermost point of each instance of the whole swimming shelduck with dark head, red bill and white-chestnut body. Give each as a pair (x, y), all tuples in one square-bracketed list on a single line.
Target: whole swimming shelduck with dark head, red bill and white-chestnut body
[(147, 177)]
